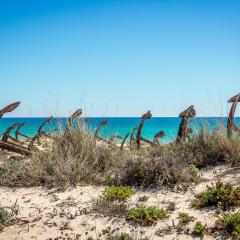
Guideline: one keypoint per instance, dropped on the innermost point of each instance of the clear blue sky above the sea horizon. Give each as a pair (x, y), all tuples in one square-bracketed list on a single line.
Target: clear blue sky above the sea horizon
[(119, 57)]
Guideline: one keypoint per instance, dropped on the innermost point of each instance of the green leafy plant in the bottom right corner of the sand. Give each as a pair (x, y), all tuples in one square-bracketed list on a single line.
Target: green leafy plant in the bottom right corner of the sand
[(230, 223)]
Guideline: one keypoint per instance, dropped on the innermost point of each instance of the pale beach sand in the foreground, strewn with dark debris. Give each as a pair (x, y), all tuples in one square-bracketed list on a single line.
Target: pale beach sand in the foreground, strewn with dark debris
[(48, 214)]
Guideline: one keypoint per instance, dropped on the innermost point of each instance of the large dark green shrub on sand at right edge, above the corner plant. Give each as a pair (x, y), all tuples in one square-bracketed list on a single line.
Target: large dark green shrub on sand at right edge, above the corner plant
[(222, 196)]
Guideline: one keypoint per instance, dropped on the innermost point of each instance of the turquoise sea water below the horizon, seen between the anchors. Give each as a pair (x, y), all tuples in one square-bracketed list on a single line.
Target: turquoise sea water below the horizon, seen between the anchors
[(120, 125)]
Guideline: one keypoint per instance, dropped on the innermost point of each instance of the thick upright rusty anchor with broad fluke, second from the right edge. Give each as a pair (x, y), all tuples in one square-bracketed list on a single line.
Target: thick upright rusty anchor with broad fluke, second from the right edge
[(184, 130)]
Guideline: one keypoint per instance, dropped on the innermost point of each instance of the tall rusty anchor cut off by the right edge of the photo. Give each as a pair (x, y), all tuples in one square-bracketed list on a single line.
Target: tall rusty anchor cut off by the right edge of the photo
[(231, 127)]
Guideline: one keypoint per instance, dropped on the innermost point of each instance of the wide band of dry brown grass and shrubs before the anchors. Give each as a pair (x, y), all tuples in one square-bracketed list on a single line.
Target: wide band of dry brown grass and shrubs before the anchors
[(80, 159)]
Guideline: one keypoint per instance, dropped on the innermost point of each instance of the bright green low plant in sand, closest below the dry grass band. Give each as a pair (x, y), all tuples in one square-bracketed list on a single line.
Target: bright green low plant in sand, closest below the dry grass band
[(118, 193)]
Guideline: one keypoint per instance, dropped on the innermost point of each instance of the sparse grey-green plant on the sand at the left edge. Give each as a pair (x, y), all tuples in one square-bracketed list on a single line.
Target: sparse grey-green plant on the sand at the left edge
[(6, 214)]
